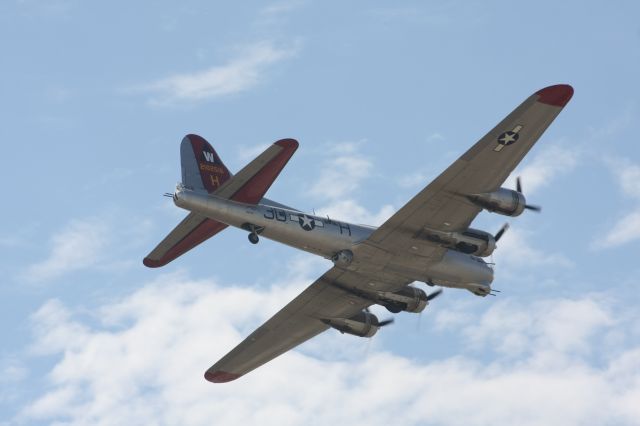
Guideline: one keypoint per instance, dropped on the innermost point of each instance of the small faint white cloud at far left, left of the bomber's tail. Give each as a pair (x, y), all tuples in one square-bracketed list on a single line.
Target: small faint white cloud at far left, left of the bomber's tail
[(76, 247)]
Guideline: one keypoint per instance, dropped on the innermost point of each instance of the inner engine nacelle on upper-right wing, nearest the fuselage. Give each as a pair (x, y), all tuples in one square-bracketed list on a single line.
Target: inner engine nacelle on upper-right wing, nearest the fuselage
[(472, 241)]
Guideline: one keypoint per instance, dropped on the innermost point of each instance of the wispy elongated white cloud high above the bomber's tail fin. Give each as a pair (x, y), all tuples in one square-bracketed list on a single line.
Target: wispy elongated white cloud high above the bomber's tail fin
[(240, 74)]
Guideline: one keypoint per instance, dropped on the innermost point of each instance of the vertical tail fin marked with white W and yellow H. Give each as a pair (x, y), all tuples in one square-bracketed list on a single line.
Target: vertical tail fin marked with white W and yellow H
[(202, 168)]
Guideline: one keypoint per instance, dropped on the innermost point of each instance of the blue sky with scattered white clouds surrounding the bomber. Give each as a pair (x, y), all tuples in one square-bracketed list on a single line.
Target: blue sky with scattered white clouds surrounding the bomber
[(382, 97)]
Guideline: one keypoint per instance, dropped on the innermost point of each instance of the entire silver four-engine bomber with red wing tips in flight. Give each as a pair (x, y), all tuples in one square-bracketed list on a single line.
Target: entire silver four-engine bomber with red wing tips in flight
[(428, 240)]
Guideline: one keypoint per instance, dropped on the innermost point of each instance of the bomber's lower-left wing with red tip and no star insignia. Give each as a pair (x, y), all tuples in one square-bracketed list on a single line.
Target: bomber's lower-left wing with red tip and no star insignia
[(297, 322)]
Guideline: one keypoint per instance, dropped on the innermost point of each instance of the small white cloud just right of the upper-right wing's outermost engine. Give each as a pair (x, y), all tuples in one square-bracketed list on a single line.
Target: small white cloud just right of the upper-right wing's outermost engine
[(544, 167)]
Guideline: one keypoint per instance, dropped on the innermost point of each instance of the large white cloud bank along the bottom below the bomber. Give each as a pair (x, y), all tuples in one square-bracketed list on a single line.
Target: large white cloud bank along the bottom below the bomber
[(143, 358)]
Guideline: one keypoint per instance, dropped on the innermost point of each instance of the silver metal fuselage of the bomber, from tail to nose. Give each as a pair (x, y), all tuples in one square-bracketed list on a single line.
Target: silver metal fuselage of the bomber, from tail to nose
[(327, 237)]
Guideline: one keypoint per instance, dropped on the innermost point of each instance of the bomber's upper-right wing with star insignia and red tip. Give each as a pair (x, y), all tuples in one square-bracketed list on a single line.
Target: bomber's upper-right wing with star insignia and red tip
[(442, 205)]
